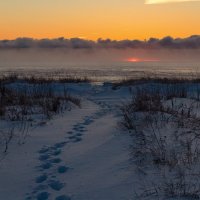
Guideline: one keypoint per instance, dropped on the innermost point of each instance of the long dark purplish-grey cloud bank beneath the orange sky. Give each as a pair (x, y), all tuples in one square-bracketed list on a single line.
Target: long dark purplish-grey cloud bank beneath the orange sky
[(192, 42)]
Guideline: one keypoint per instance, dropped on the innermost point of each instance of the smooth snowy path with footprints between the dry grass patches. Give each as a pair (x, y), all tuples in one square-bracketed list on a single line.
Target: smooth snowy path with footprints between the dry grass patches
[(87, 160)]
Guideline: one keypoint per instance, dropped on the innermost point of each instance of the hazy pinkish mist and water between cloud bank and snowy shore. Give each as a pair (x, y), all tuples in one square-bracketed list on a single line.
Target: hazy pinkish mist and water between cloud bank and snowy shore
[(102, 64)]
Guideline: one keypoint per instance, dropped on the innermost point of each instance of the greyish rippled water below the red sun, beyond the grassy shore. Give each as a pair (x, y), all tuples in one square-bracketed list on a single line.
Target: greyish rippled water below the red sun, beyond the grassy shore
[(99, 71)]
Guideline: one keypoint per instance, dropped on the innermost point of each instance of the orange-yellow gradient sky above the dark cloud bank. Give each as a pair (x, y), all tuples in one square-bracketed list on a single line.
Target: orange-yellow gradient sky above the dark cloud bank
[(92, 19)]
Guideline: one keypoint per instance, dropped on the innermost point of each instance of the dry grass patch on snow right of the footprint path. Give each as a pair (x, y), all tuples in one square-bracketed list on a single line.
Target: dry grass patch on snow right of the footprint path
[(165, 126)]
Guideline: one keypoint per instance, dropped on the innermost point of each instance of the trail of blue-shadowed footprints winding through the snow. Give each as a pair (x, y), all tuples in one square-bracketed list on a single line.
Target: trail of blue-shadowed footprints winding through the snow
[(47, 182)]
